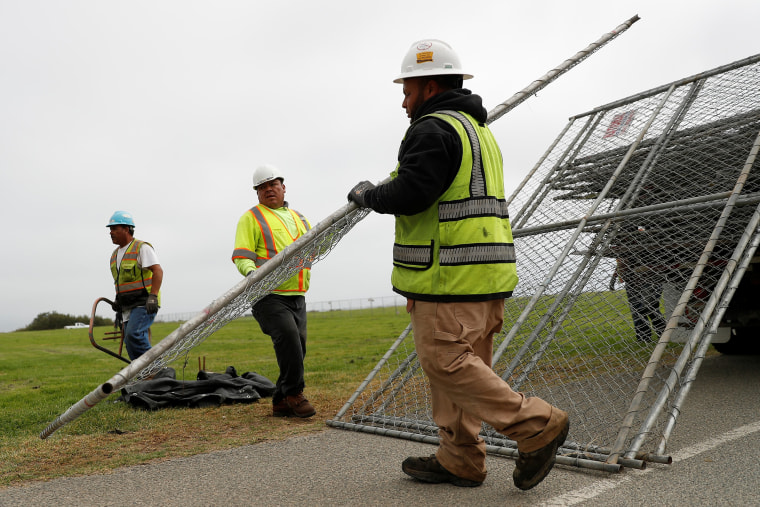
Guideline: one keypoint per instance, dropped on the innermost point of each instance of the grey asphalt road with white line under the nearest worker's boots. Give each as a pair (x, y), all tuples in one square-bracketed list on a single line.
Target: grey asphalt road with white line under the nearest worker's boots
[(716, 451)]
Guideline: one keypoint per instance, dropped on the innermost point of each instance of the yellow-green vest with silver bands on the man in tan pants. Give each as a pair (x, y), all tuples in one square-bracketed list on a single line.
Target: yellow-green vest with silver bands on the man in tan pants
[(461, 247)]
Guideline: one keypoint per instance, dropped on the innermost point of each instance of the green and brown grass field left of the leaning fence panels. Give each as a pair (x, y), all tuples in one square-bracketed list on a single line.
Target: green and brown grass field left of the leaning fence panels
[(43, 373)]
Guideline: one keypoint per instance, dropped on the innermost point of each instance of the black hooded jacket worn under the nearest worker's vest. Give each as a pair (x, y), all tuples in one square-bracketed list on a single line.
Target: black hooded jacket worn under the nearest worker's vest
[(429, 157)]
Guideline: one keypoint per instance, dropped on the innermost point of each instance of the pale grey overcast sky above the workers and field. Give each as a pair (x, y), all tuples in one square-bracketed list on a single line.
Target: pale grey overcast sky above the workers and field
[(165, 108)]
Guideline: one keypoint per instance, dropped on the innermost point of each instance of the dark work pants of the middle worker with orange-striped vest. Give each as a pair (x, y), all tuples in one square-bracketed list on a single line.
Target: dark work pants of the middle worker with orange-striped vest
[(283, 318)]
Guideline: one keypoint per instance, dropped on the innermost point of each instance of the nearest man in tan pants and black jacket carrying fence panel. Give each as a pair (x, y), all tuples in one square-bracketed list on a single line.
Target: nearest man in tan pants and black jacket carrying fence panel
[(454, 261)]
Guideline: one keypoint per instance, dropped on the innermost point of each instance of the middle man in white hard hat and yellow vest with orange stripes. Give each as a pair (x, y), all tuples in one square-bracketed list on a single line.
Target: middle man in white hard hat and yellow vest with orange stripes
[(262, 232)]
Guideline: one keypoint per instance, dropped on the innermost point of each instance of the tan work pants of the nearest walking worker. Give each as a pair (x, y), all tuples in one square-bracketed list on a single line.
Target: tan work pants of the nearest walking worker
[(454, 343)]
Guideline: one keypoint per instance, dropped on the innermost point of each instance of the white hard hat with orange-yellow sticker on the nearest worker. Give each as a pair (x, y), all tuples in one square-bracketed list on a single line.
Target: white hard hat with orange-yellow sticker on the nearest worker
[(430, 57)]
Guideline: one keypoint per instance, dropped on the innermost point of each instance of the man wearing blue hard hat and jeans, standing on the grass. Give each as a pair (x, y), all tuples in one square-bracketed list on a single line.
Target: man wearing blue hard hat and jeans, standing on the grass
[(137, 277)]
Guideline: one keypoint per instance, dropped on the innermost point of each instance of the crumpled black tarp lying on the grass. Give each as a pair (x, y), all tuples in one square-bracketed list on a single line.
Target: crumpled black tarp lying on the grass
[(210, 390)]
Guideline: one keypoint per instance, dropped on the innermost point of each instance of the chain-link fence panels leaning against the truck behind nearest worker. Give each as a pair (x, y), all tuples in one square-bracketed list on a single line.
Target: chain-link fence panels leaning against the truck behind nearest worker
[(632, 234)]
